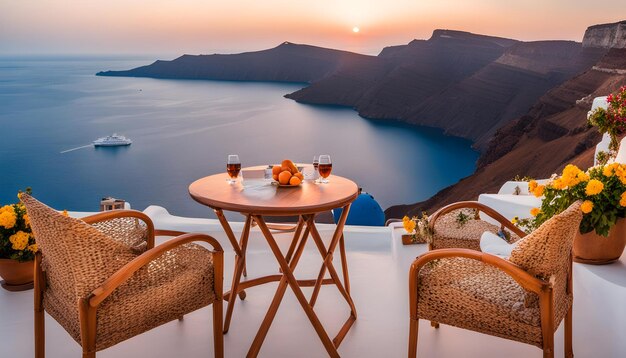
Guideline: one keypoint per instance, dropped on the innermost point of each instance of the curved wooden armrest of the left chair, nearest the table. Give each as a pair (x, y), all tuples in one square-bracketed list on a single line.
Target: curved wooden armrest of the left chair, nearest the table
[(120, 276)]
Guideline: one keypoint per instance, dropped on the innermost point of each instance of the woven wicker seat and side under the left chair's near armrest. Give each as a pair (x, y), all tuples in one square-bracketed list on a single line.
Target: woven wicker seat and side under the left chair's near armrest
[(175, 284)]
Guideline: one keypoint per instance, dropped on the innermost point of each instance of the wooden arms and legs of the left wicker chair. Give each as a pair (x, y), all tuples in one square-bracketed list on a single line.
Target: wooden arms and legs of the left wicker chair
[(88, 306)]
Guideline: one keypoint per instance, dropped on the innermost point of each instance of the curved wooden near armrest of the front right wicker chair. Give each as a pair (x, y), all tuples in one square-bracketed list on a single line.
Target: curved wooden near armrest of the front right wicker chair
[(523, 278)]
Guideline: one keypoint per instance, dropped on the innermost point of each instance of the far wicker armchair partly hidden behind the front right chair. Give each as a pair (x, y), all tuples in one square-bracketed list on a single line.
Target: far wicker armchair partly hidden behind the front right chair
[(447, 233)]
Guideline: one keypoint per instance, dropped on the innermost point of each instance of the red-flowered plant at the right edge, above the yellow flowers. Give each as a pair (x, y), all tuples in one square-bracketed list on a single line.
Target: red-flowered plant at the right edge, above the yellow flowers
[(613, 119)]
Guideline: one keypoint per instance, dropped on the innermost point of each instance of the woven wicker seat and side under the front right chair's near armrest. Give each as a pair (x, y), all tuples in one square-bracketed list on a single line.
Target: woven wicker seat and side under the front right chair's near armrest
[(470, 294)]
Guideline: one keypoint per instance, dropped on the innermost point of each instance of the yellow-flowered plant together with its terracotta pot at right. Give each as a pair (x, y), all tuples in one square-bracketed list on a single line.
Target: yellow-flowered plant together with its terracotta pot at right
[(602, 234)]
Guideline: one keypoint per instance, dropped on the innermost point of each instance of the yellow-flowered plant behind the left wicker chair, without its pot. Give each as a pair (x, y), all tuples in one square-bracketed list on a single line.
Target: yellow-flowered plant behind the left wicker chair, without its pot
[(16, 237)]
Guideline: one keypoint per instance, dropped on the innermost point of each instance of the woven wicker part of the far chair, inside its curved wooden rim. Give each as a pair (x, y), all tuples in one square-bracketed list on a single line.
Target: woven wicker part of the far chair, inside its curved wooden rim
[(448, 233)]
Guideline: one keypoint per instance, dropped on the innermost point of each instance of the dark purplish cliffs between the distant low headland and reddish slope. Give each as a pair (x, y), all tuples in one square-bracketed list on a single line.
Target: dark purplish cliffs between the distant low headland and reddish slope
[(468, 85)]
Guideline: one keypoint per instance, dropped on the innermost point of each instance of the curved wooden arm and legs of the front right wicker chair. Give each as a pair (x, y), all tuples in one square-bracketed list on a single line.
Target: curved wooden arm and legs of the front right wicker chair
[(544, 289)]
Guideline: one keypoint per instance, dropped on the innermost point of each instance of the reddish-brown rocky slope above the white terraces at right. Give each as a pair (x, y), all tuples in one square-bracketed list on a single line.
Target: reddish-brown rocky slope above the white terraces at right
[(552, 134)]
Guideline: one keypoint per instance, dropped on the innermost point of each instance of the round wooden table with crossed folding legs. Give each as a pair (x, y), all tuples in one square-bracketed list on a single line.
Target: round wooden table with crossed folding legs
[(258, 200)]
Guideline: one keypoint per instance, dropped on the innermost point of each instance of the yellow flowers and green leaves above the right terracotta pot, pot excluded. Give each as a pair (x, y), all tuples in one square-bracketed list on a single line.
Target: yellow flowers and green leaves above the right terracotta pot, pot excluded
[(601, 188)]
